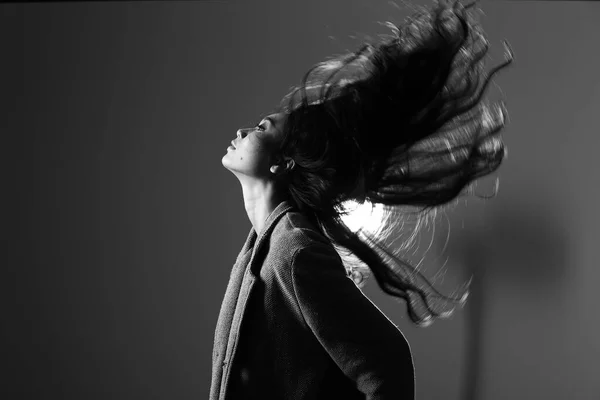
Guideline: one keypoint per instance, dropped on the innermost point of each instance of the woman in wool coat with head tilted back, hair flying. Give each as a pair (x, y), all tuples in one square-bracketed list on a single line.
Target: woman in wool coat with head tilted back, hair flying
[(398, 124)]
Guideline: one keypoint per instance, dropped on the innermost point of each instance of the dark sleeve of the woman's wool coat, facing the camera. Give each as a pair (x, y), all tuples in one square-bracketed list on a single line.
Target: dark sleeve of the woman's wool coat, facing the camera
[(361, 340)]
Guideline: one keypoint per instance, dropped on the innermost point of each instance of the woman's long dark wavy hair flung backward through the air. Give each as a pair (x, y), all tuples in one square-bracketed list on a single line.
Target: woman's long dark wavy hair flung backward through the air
[(400, 123)]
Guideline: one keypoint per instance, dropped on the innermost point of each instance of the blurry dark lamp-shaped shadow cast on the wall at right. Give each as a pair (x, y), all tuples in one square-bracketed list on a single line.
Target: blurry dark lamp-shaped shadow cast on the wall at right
[(521, 246)]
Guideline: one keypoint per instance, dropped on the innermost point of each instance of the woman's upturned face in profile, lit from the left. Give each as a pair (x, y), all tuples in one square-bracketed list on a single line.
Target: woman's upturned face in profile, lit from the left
[(254, 147)]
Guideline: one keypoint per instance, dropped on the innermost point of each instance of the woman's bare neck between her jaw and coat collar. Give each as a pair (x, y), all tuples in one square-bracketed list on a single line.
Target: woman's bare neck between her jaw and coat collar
[(260, 200)]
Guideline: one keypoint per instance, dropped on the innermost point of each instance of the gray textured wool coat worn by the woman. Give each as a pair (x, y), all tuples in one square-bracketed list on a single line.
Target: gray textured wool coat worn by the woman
[(294, 326)]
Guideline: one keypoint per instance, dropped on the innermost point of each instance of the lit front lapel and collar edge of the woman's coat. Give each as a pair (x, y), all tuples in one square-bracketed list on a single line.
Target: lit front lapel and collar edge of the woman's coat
[(242, 278)]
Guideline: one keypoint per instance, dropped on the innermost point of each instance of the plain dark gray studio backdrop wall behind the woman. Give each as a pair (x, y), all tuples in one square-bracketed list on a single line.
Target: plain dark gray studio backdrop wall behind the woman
[(121, 225)]
